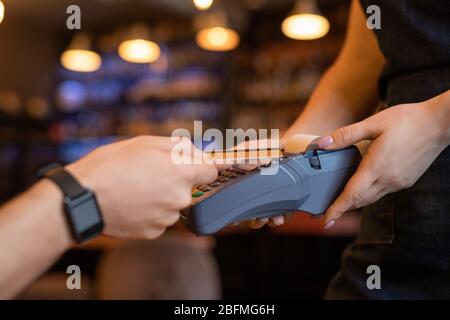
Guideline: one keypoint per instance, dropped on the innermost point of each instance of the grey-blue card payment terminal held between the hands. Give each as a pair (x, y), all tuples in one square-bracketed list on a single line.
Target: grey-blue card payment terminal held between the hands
[(307, 181)]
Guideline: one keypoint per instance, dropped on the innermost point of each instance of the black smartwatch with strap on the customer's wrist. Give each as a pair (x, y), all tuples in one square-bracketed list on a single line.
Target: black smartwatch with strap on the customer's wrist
[(80, 205)]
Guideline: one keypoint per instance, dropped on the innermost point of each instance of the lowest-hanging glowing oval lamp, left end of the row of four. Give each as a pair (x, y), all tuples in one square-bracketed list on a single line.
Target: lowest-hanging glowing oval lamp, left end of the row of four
[(81, 60)]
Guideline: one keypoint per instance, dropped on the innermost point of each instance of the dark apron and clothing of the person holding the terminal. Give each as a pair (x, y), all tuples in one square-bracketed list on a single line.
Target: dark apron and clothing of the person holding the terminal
[(407, 234)]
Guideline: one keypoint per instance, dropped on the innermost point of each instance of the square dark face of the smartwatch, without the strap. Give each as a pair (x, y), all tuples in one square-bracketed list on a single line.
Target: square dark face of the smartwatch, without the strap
[(84, 216)]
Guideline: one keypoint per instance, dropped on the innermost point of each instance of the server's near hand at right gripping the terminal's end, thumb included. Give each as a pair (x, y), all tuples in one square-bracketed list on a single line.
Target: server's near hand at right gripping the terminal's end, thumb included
[(406, 139)]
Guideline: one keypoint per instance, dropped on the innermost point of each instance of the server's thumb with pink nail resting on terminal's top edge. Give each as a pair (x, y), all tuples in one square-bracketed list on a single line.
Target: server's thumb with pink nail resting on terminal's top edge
[(347, 136)]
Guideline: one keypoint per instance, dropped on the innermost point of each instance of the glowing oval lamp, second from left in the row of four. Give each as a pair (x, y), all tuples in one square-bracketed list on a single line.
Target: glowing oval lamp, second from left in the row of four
[(139, 51)]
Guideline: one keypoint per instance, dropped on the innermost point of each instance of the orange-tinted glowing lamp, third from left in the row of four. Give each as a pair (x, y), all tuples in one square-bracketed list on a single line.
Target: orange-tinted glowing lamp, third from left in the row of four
[(217, 39)]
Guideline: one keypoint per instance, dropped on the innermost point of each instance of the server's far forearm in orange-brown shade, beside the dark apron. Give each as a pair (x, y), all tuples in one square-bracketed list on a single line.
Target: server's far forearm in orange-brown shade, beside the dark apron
[(348, 91)]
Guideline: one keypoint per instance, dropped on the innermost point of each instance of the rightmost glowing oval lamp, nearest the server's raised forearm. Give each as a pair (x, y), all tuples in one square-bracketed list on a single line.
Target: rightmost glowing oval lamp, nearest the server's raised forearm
[(305, 26)]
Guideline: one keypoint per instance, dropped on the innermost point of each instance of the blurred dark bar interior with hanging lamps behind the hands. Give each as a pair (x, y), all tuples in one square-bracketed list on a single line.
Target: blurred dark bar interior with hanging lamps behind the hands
[(230, 65)]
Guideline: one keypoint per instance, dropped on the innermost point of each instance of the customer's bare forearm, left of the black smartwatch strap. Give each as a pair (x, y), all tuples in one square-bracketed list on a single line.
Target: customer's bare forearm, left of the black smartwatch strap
[(33, 235)]
